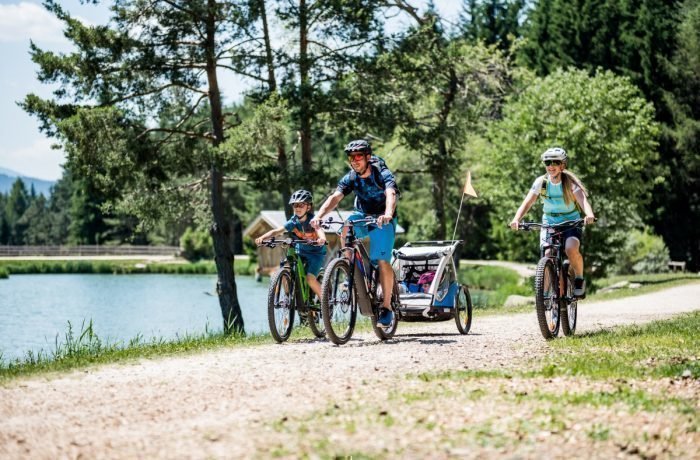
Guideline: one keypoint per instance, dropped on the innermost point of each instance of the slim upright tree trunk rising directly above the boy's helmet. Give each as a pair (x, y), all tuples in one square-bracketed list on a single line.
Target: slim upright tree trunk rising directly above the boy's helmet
[(304, 89)]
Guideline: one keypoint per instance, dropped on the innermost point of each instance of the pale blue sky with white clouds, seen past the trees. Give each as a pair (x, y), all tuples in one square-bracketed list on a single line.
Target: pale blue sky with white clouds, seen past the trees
[(23, 148)]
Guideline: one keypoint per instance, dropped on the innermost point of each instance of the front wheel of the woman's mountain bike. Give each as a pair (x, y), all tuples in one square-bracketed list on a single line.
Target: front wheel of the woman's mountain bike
[(546, 302)]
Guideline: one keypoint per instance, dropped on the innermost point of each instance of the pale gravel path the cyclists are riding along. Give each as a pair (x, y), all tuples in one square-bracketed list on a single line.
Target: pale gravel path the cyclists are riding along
[(216, 404)]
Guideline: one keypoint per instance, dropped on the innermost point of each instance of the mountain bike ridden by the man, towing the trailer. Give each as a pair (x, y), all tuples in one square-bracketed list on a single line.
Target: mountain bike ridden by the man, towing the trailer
[(352, 281)]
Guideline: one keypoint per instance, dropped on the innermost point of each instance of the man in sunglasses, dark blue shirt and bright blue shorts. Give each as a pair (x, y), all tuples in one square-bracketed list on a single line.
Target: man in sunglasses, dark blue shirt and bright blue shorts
[(375, 195)]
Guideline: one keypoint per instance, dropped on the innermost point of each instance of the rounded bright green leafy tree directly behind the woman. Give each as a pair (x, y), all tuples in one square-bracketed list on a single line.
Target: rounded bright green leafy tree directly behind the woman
[(608, 131)]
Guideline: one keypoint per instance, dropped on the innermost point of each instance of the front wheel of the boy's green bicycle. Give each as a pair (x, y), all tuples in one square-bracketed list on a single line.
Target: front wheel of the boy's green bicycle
[(280, 305)]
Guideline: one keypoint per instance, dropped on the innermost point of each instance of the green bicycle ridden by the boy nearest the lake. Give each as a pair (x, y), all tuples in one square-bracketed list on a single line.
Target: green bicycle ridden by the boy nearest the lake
[(289, 292)]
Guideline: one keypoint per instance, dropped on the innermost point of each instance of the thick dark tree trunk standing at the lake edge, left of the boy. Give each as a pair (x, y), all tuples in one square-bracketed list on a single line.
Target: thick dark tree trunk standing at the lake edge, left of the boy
[(220, 228)]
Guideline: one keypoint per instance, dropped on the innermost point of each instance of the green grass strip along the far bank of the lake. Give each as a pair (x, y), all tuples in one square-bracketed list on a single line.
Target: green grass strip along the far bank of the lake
[(23, 267)]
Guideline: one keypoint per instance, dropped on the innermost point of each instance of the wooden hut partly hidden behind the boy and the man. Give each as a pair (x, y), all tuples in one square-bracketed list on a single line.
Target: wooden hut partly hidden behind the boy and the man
[(269, 259)]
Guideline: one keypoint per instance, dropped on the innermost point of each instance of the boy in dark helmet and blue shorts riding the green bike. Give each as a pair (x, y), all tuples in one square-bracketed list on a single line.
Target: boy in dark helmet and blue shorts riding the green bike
[(302, 202)]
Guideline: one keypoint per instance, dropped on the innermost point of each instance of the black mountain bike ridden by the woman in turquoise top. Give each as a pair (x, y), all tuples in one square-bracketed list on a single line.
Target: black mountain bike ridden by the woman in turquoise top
[(555, 301)]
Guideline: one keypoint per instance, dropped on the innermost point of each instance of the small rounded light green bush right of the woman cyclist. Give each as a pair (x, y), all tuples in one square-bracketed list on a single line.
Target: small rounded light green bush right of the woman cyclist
[(643, 252)]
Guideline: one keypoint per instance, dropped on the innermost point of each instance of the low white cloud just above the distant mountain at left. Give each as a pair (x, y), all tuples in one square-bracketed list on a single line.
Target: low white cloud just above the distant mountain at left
[(38, 160)]
